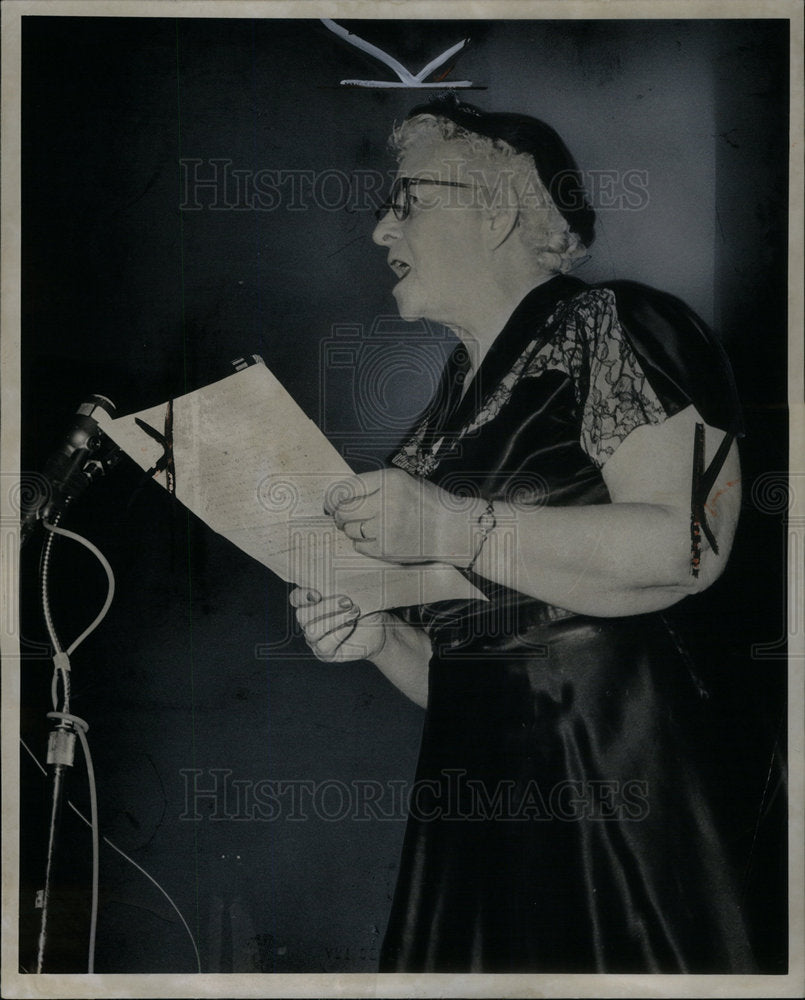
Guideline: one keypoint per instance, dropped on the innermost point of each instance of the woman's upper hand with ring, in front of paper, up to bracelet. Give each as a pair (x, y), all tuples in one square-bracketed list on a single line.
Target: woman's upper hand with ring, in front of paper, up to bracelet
[(391, 515)]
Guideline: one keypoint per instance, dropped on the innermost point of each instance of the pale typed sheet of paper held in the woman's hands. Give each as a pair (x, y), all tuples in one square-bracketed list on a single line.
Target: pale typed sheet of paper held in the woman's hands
[(256, 469)]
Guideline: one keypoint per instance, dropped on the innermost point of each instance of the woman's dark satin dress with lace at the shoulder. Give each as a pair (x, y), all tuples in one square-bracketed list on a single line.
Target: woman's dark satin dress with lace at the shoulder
[(560, 820)]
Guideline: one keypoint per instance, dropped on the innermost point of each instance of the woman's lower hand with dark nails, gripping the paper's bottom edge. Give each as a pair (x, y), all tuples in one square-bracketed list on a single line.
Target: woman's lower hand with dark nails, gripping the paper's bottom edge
[(334, 629)]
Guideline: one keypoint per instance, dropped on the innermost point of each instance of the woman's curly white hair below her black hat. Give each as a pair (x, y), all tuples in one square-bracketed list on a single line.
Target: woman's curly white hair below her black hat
[(543, 230)]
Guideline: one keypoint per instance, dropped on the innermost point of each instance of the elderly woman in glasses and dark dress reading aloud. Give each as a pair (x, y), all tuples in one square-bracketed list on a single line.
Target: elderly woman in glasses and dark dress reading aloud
[(579, 465)]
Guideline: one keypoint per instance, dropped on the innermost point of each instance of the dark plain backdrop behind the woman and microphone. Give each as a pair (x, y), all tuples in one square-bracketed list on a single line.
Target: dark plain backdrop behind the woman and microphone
[(127, 293)]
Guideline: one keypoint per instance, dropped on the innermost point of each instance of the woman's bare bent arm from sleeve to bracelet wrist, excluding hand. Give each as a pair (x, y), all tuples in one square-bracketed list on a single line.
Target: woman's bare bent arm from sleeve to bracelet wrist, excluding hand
[(630, 556)]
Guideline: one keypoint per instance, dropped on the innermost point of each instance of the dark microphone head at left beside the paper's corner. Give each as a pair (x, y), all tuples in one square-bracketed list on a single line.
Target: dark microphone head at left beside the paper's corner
[(85, 453)]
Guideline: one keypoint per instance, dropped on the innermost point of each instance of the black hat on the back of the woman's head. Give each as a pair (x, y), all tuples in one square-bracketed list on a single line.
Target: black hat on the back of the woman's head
[(556, 167)]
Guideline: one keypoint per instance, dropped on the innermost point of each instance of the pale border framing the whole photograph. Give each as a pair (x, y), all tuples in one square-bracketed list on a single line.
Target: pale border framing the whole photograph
[(389, 985)]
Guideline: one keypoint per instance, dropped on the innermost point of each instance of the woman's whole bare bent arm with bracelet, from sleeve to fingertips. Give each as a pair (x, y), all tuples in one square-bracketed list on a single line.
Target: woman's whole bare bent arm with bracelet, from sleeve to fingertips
[(633, 555)]
